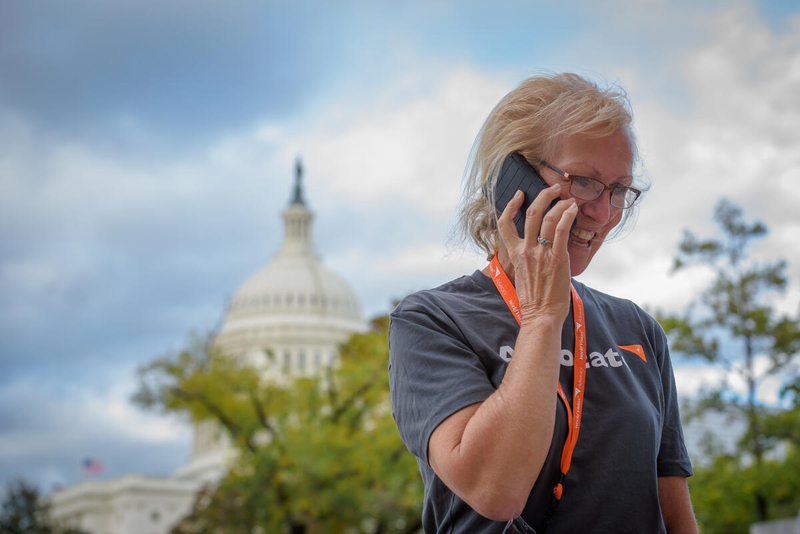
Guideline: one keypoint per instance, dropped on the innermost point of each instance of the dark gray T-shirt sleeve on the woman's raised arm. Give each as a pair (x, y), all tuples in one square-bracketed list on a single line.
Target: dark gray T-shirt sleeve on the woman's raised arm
[(433, 373)]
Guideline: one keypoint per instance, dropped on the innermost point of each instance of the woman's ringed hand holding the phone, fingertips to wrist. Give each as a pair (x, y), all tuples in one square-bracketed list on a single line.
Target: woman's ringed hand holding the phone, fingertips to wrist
[(541, 273)]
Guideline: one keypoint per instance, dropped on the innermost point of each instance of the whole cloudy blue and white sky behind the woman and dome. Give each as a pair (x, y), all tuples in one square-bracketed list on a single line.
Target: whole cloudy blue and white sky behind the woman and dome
[(147, 148)]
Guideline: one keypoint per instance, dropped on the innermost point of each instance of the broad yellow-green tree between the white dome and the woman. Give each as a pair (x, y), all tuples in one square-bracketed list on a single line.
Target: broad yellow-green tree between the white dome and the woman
[(315, 455)]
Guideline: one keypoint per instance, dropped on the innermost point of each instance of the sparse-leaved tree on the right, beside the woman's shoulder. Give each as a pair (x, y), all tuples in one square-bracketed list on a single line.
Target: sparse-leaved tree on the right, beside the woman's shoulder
[(732, 324)]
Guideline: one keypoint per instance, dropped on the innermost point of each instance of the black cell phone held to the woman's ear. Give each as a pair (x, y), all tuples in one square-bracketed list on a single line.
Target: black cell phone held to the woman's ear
[(517, 174)]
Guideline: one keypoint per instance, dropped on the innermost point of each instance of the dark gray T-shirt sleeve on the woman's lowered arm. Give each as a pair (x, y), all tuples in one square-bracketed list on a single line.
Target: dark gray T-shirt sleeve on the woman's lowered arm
[(673, 460)]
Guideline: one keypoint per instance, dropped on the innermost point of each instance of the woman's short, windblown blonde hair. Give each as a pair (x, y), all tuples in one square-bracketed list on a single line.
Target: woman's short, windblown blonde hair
[(532, 119)]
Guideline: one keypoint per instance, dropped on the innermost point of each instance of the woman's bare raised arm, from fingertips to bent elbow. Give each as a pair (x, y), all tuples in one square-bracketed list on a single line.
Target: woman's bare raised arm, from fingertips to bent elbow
[(491, 453)]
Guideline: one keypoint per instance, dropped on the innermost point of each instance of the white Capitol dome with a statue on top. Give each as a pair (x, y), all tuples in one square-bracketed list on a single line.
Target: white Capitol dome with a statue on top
[(287, 319)]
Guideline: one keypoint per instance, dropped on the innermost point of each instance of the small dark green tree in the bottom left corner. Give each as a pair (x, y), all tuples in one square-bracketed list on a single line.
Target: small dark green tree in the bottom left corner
[(24, 512)]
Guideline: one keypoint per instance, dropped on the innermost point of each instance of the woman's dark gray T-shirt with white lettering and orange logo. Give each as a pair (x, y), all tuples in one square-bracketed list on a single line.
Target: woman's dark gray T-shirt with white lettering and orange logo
[(449, 348)]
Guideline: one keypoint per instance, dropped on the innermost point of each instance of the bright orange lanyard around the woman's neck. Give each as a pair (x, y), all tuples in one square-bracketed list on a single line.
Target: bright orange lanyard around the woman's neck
[(509, 294)]
